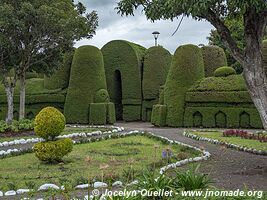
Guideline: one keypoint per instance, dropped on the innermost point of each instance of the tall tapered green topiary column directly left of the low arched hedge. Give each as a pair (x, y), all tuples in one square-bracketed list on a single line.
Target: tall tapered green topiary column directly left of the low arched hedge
[(187, 68)]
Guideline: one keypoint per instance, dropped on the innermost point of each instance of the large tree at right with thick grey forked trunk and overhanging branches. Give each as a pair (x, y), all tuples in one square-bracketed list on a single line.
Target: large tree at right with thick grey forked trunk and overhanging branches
[(254, 13)]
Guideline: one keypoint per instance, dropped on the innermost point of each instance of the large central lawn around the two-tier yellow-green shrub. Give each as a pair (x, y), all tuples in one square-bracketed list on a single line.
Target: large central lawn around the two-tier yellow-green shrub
[(84, 161)]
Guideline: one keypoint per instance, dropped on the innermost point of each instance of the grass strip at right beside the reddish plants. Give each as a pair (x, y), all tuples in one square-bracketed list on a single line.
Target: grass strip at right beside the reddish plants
[(234, 140)]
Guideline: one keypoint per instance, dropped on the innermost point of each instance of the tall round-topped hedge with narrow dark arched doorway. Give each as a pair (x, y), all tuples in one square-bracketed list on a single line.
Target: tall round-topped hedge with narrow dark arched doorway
[(123, 68)]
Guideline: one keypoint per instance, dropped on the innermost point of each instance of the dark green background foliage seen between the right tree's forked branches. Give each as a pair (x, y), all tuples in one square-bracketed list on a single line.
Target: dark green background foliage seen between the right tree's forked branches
[(235, 25)]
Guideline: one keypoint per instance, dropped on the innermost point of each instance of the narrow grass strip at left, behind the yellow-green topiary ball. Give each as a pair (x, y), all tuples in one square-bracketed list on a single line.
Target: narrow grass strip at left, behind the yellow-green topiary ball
[(67, 130)]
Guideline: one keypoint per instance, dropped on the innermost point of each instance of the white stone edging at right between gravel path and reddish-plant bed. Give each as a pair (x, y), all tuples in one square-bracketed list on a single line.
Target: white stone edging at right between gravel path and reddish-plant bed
[(229, 145)]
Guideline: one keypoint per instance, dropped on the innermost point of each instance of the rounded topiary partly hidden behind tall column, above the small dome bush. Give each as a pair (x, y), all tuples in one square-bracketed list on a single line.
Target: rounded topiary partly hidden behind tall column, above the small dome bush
[(214, 57)]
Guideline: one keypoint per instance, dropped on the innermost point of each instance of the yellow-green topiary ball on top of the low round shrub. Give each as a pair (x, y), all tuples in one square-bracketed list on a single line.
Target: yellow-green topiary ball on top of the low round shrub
[(49, 123)]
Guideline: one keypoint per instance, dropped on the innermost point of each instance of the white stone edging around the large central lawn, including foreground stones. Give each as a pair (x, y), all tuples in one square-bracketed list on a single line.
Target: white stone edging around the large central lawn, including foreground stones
[(205, 156)]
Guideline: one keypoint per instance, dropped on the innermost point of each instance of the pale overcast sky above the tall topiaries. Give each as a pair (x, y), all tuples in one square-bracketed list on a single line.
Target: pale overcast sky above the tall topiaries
[(139, 30)]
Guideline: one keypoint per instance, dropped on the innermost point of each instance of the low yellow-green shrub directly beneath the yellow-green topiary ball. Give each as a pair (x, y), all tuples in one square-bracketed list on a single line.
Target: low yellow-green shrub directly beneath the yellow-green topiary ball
[(53, 151)]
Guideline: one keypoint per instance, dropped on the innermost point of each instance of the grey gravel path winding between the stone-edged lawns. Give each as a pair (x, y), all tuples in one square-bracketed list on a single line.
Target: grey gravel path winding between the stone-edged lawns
[(230, 169)]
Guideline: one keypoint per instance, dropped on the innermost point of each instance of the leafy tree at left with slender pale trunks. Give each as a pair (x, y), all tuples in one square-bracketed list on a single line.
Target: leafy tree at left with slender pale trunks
[(37, 33)]
